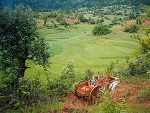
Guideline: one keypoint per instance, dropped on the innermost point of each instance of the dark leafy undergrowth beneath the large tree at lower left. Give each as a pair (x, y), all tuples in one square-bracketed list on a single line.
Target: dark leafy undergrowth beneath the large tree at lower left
[(28, 94)]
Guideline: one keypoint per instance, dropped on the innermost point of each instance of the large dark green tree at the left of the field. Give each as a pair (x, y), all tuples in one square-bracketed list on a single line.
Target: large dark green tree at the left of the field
[(19, 43)]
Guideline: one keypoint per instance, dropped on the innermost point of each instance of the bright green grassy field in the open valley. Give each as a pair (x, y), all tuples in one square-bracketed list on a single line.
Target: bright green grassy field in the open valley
[(77, 43)]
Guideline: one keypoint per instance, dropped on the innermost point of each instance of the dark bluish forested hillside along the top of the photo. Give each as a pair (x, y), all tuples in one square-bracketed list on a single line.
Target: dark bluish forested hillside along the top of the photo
[(39, 5)]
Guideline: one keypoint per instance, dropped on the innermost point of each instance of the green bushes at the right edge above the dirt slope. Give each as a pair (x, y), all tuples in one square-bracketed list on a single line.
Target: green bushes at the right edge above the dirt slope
[(141, 65)]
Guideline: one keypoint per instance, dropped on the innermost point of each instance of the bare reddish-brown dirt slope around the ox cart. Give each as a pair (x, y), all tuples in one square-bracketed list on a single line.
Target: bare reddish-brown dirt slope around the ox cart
[(126, 90)]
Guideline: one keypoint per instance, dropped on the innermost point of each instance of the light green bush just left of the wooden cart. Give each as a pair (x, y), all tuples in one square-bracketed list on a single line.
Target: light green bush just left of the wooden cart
[(63, 83)]
